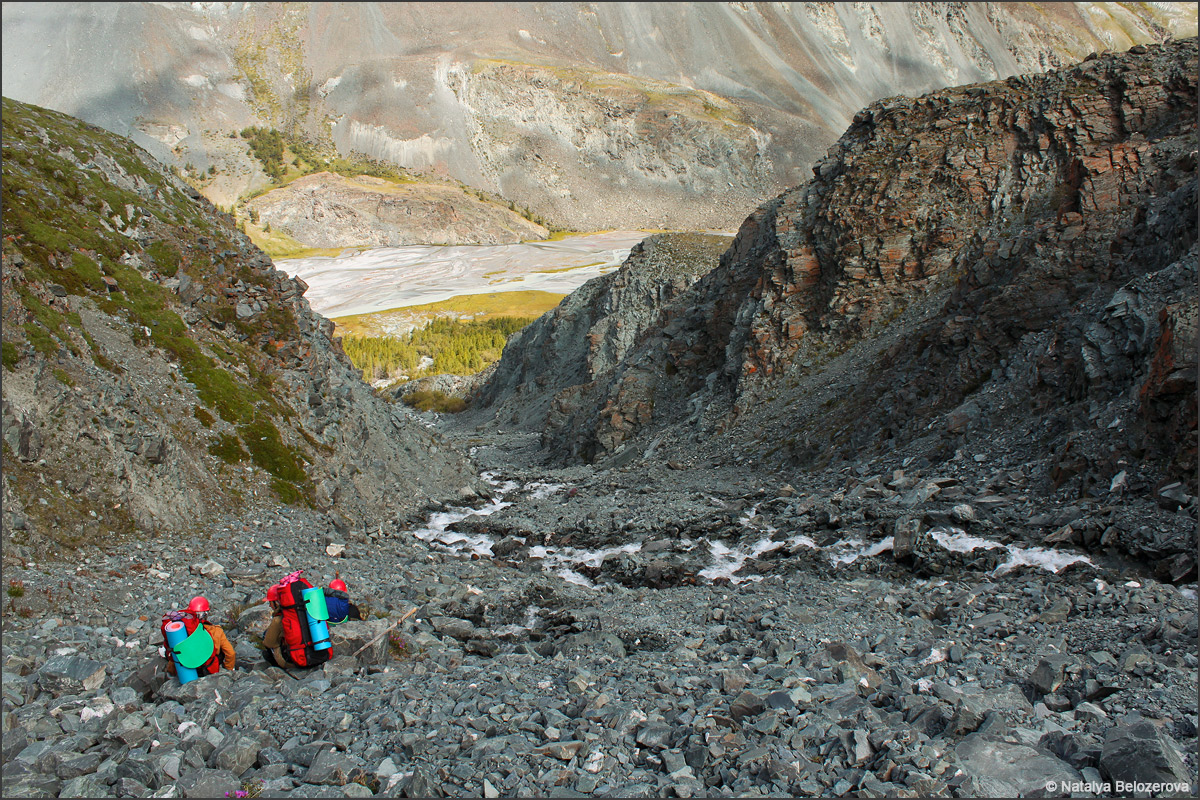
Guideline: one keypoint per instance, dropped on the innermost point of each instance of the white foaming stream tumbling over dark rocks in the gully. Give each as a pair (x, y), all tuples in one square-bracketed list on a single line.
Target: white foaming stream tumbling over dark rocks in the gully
[(727, 562)]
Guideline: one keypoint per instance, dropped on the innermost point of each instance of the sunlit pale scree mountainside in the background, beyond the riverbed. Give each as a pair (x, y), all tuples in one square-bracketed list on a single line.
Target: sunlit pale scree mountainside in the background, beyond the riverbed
[(592, 116)]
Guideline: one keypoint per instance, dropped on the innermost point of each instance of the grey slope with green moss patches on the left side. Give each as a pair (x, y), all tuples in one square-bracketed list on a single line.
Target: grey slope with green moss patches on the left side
[(159, 371)]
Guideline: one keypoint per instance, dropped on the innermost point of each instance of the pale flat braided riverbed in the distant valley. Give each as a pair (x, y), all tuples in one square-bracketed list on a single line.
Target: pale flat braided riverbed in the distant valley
[(415, 275)]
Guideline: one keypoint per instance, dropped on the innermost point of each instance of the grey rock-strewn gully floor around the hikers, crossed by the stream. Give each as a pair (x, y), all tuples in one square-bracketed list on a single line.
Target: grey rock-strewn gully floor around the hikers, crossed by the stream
[(817, 667)]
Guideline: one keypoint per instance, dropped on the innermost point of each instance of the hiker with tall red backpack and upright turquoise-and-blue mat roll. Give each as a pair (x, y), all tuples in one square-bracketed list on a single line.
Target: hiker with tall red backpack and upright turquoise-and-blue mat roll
[(298, 635)]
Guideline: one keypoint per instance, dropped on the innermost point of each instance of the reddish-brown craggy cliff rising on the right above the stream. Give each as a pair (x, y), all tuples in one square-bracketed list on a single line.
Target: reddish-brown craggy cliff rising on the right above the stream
[(1007, 268)]
